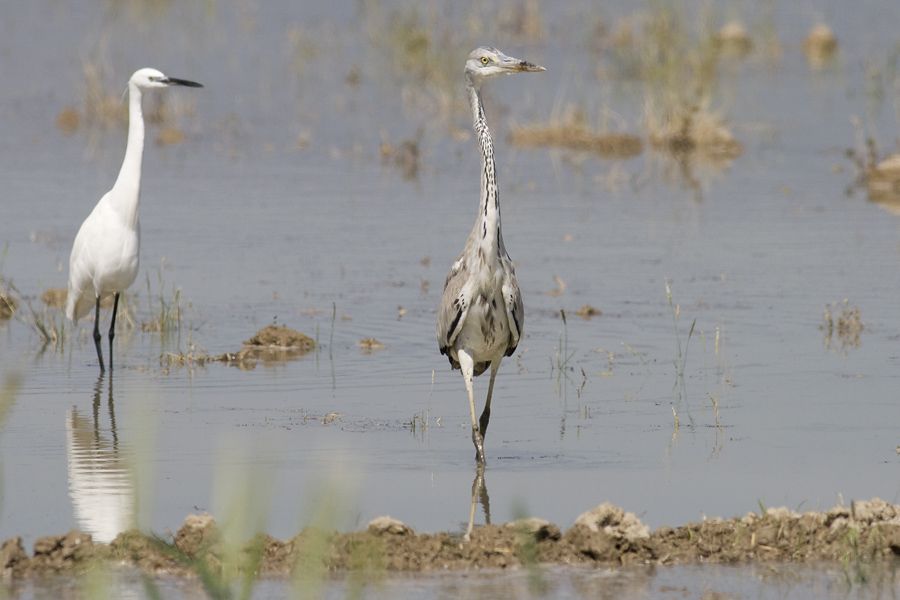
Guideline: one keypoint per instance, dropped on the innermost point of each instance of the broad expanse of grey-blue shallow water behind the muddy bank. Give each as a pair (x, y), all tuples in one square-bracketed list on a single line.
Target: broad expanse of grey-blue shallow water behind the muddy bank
[(253, 229)]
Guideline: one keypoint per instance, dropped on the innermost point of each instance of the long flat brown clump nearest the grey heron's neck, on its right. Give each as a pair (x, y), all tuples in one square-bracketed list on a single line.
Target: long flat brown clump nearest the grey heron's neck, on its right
[(573, 132)]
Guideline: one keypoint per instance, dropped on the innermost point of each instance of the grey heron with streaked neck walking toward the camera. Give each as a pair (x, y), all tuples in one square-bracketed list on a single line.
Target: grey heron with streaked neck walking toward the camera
[(481, 315)]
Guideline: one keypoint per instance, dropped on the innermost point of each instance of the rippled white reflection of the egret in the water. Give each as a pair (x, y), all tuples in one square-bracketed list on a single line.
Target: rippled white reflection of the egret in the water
[(100, 484)]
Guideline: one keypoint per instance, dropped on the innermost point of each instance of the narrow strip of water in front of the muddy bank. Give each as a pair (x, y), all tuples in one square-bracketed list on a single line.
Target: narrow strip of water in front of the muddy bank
[(708, 582)]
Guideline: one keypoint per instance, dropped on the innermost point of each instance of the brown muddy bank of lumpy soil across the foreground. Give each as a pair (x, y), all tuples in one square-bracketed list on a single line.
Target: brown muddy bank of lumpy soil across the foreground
[(866, 531)]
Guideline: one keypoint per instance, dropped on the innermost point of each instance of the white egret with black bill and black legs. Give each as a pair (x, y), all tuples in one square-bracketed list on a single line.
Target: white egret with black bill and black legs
[(104, 256)]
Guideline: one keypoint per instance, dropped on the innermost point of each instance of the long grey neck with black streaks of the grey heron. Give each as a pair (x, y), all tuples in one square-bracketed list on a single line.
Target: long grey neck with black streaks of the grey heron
[(488, 223)]
